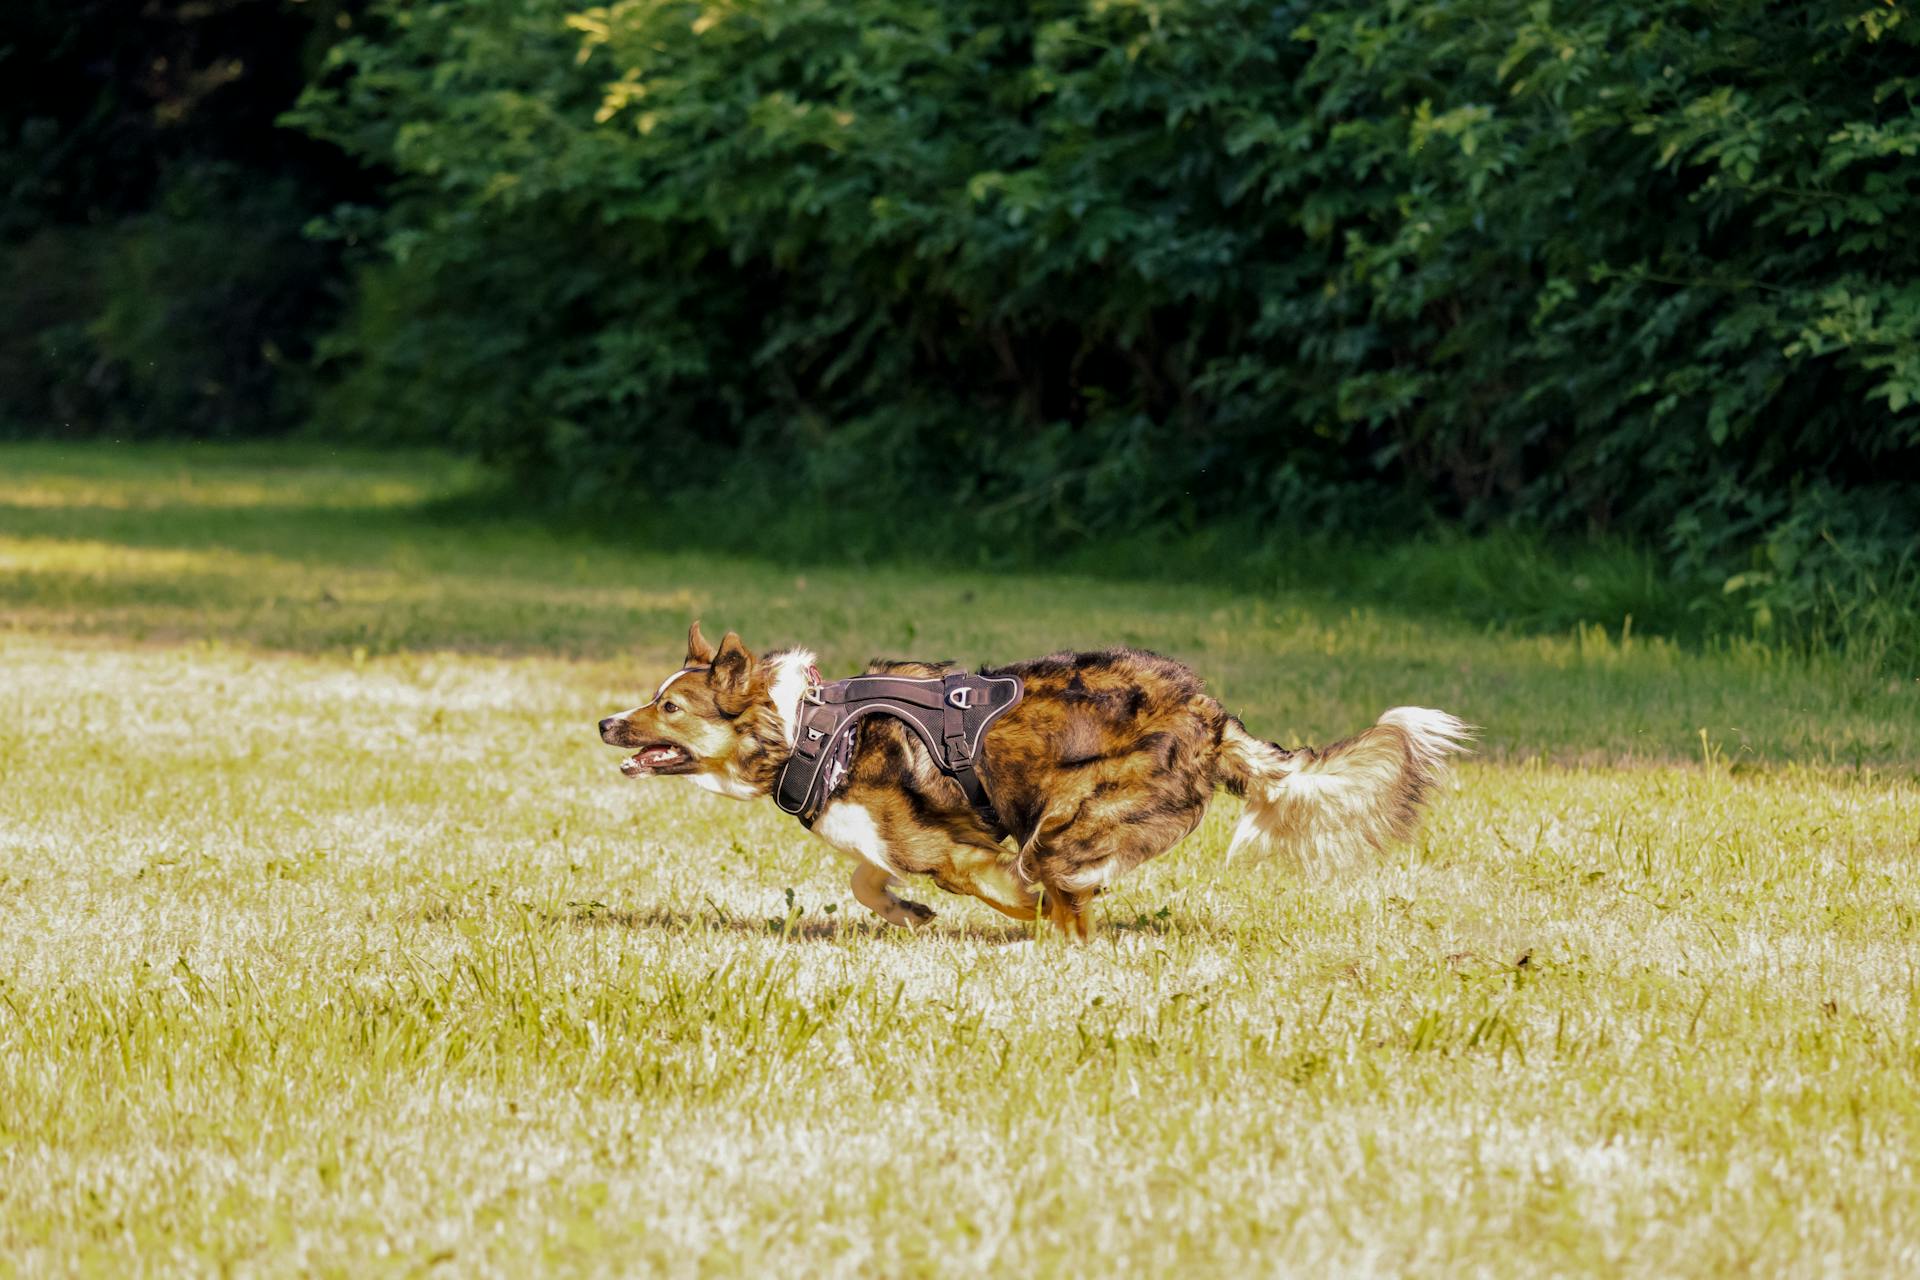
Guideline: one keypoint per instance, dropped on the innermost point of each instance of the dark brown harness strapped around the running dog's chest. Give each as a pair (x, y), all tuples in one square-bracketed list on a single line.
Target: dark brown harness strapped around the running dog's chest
[(949, 713)]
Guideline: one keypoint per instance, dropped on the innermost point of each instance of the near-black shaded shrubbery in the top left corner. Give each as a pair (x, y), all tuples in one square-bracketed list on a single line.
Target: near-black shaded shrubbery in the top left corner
[(153, 218)]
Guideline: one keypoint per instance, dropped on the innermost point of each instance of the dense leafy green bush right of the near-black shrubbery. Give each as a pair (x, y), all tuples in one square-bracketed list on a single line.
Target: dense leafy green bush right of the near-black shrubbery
[(1648, 270)]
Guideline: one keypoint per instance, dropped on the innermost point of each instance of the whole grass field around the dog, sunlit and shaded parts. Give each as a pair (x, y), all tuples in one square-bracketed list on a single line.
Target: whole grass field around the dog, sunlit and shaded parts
[(335, 941)]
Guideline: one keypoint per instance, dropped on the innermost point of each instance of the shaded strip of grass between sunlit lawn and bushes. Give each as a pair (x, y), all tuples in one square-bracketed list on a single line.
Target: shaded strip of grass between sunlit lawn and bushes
[(289, 561)]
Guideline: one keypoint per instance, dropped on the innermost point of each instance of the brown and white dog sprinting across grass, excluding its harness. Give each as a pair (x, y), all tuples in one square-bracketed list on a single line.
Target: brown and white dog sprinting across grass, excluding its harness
[(1107, 761)]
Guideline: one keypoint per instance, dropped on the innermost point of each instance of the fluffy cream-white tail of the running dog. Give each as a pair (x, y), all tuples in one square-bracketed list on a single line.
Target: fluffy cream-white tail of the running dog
[(1330, 809)]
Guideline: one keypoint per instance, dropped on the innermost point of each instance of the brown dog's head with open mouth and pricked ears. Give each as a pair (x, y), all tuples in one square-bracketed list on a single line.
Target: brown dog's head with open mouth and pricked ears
[(711, 723)]
